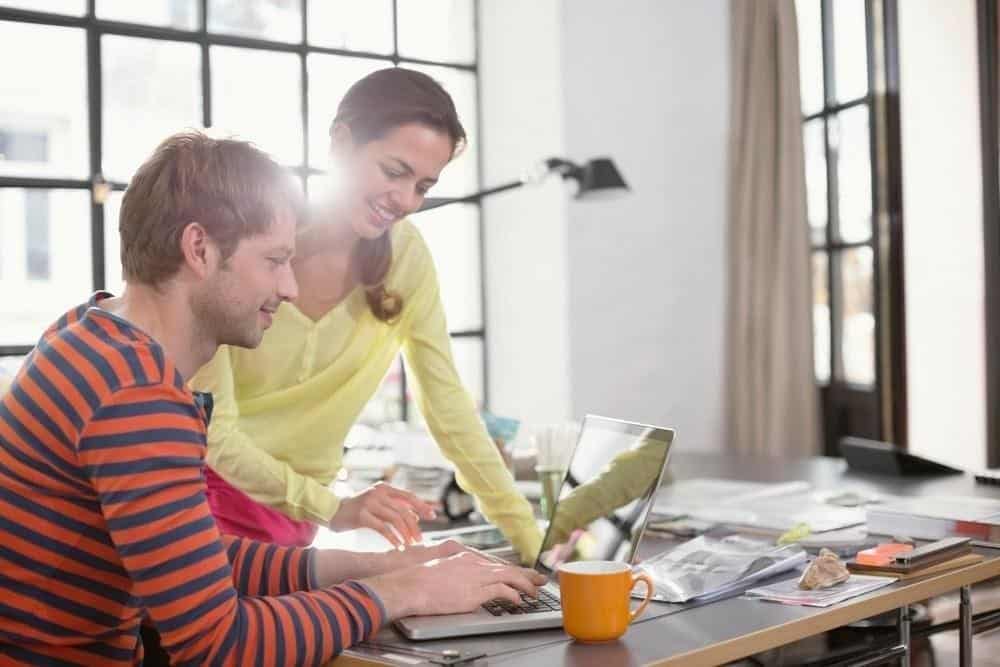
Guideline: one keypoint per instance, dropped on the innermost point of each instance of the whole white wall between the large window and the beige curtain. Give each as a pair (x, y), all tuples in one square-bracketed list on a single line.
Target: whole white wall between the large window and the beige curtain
[(625, 298)]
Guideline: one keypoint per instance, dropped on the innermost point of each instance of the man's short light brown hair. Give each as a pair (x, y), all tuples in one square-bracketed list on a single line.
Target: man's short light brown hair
[(229, 187)]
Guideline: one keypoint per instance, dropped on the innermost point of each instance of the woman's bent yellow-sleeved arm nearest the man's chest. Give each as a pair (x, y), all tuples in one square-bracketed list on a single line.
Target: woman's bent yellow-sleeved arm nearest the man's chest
[(233, 454)]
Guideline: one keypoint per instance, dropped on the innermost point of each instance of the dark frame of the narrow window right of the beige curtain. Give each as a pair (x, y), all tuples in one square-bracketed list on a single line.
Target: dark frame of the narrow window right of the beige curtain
[(877, 411)]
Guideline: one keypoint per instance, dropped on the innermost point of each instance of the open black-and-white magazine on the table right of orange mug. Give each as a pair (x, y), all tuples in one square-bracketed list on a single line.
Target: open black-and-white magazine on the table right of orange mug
[(706, 568)]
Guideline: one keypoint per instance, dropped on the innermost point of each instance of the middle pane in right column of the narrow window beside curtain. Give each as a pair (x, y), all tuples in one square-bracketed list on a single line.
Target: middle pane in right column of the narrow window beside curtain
[(854, 173)]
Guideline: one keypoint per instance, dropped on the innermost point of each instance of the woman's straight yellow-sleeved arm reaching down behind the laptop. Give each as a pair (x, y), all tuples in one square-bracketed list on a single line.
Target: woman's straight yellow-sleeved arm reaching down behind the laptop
[(454, 422)]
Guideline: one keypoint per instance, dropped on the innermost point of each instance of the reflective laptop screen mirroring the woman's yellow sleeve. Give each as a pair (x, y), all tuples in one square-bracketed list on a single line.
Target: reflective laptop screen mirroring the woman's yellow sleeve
[(606, 493)]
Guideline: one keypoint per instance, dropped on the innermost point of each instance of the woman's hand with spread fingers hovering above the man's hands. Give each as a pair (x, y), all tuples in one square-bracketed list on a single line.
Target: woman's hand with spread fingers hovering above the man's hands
[(382, 508)]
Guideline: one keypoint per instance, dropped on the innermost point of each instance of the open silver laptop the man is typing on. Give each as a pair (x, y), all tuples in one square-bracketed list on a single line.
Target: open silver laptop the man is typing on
[(603, 503)]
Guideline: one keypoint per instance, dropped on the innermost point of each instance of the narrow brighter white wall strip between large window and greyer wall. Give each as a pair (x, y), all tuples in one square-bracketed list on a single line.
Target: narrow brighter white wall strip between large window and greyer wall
[(525, 267)]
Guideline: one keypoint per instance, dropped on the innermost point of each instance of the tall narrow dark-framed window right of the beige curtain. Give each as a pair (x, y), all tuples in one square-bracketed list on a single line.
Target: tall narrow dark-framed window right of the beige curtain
[(850, 133)]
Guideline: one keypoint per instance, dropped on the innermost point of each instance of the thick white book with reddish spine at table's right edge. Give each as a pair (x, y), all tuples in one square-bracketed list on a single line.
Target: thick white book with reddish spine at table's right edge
[(935, 517)]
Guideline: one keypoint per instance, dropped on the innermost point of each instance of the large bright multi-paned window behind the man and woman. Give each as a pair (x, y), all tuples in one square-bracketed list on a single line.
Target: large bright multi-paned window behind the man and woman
[(120, 75)]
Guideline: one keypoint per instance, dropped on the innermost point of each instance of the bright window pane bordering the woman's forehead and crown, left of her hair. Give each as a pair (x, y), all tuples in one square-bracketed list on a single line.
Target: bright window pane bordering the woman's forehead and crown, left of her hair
[(329, 78)]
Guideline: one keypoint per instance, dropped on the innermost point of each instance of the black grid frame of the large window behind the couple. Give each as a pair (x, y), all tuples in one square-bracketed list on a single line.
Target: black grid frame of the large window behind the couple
[(95, 28)]
